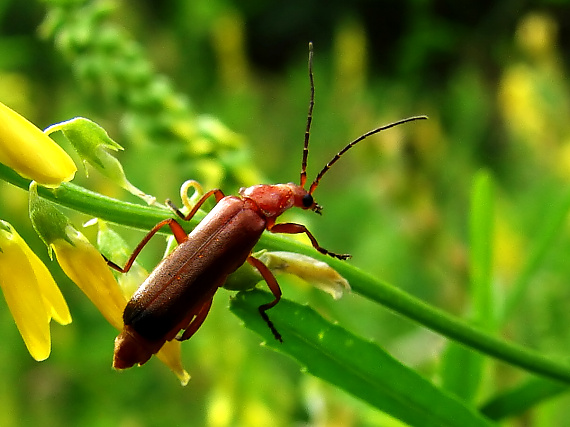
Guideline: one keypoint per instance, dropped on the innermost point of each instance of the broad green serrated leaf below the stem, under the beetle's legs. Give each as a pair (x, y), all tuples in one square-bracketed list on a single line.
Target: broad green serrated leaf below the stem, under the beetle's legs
[(358, 366)]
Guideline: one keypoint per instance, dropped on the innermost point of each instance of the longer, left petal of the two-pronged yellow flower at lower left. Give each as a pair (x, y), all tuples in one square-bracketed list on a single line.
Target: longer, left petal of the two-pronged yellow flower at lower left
[(22, 294)]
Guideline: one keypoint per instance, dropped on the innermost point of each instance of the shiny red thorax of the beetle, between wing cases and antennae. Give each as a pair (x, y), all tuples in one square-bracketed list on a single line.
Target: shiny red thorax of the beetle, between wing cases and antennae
[(273, 200)]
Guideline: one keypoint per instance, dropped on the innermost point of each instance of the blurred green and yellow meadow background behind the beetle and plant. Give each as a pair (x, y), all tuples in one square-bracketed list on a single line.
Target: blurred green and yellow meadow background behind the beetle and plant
[(162, 78)]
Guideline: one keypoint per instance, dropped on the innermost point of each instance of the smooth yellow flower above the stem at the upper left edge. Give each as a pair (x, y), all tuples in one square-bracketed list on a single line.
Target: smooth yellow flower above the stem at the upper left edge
[(30, 152)]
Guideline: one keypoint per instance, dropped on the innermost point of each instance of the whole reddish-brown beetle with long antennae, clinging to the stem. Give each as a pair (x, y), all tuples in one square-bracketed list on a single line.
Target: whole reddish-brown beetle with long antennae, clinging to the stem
[(174, 300)]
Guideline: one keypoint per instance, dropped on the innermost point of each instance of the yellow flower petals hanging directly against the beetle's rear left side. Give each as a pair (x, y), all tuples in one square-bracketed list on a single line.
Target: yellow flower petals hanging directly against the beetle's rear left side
[(83, 264)]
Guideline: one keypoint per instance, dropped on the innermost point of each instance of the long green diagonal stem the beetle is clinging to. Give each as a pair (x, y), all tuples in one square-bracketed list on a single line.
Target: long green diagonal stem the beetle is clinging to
[(144, 217)]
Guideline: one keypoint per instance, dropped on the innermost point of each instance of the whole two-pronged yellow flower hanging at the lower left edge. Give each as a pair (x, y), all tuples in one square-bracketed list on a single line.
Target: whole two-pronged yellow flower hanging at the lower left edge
[(30, 292)]
